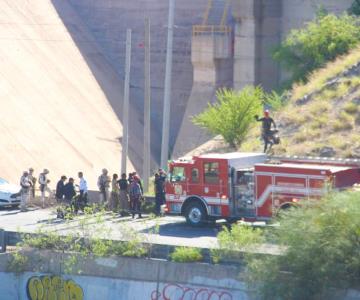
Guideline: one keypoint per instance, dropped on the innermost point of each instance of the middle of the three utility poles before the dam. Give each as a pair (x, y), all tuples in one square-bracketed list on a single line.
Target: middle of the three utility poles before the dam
[(147, 108)]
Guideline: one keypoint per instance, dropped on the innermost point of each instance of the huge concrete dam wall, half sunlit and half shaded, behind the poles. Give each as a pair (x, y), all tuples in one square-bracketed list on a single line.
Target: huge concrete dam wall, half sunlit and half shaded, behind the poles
[(63, 67)]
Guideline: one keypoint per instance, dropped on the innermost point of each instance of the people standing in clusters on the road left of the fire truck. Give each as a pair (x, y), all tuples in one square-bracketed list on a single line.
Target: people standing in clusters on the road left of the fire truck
[(117, 194)]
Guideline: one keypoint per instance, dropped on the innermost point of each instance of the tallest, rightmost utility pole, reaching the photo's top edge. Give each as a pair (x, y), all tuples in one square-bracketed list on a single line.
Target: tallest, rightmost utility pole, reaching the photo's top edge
[(167, 91)]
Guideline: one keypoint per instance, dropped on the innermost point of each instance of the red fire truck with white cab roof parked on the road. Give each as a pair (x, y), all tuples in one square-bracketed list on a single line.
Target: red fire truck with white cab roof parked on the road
[(250, 186)]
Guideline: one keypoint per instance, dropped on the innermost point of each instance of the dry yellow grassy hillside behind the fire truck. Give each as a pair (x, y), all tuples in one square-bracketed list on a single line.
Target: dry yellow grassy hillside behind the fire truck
[(321, 118)]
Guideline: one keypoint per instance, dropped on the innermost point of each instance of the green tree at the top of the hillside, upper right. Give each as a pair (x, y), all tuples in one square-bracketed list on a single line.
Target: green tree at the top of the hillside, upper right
[(322, 40)]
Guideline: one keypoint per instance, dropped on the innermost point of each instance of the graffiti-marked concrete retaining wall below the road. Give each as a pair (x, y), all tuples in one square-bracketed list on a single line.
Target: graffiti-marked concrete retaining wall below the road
[(124, 278)]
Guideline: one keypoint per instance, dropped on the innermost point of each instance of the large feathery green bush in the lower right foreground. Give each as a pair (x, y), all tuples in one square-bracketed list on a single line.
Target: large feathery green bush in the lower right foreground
[(320, 245)]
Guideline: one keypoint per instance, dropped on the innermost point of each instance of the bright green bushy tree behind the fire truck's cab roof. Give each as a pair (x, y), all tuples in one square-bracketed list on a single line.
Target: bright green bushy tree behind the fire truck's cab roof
[(233, 113)]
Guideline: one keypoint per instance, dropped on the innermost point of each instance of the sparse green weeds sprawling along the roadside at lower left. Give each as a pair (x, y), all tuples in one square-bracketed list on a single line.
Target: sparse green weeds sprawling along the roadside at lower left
[(87, 239)]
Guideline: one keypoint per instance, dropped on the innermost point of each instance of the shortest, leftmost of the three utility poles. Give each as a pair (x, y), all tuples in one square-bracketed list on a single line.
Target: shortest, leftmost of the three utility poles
[(125, 138)]
